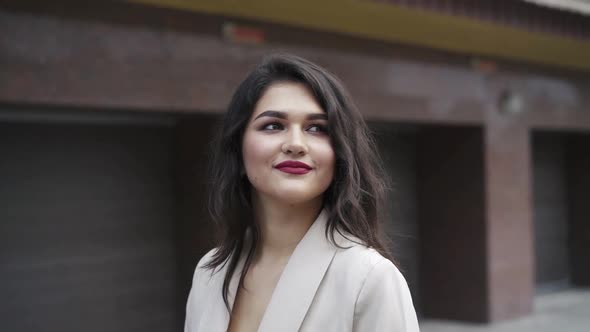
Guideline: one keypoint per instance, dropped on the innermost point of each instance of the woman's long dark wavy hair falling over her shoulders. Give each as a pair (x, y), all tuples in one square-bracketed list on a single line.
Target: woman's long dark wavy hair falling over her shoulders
[(353, 200)]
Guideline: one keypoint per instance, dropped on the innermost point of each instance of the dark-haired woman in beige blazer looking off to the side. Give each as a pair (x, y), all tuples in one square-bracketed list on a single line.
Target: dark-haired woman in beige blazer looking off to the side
[(298, 187)]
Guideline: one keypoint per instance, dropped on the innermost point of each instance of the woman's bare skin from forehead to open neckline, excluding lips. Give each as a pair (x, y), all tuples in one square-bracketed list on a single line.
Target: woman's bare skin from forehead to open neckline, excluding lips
[(287, 124)]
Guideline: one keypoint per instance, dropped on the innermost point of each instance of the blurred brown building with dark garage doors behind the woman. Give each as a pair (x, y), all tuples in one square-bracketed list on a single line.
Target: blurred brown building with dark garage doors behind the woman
[(107, 108)]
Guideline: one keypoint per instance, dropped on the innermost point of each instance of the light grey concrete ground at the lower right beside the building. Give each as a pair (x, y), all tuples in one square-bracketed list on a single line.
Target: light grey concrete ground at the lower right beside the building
[(566, 311)]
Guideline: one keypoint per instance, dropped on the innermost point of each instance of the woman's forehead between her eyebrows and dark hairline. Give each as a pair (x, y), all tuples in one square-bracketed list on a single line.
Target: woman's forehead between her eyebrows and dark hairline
[(287, 97)]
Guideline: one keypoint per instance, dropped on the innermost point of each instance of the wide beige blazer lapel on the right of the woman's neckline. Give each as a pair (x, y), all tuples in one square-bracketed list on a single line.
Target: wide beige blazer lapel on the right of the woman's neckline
[(300, 280)]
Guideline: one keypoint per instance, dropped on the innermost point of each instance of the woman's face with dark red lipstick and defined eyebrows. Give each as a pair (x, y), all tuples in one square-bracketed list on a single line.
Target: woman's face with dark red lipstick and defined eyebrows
[(286, 149)]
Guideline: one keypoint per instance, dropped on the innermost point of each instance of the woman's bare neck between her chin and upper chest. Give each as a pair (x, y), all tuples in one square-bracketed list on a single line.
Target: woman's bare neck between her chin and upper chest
[(282, 226)]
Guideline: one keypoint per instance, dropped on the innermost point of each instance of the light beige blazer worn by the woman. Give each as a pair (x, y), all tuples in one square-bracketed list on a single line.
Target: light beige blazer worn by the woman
[(323, 288)]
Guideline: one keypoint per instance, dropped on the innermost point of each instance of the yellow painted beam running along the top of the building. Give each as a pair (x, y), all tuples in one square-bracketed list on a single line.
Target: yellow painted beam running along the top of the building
[(399, 24)]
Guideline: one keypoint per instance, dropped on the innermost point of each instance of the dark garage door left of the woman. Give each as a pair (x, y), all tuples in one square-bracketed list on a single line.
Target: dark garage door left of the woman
[(86, 228)]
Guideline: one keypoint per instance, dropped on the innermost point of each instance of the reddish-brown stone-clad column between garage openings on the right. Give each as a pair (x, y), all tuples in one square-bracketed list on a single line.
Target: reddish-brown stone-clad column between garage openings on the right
[(509, 235)]
